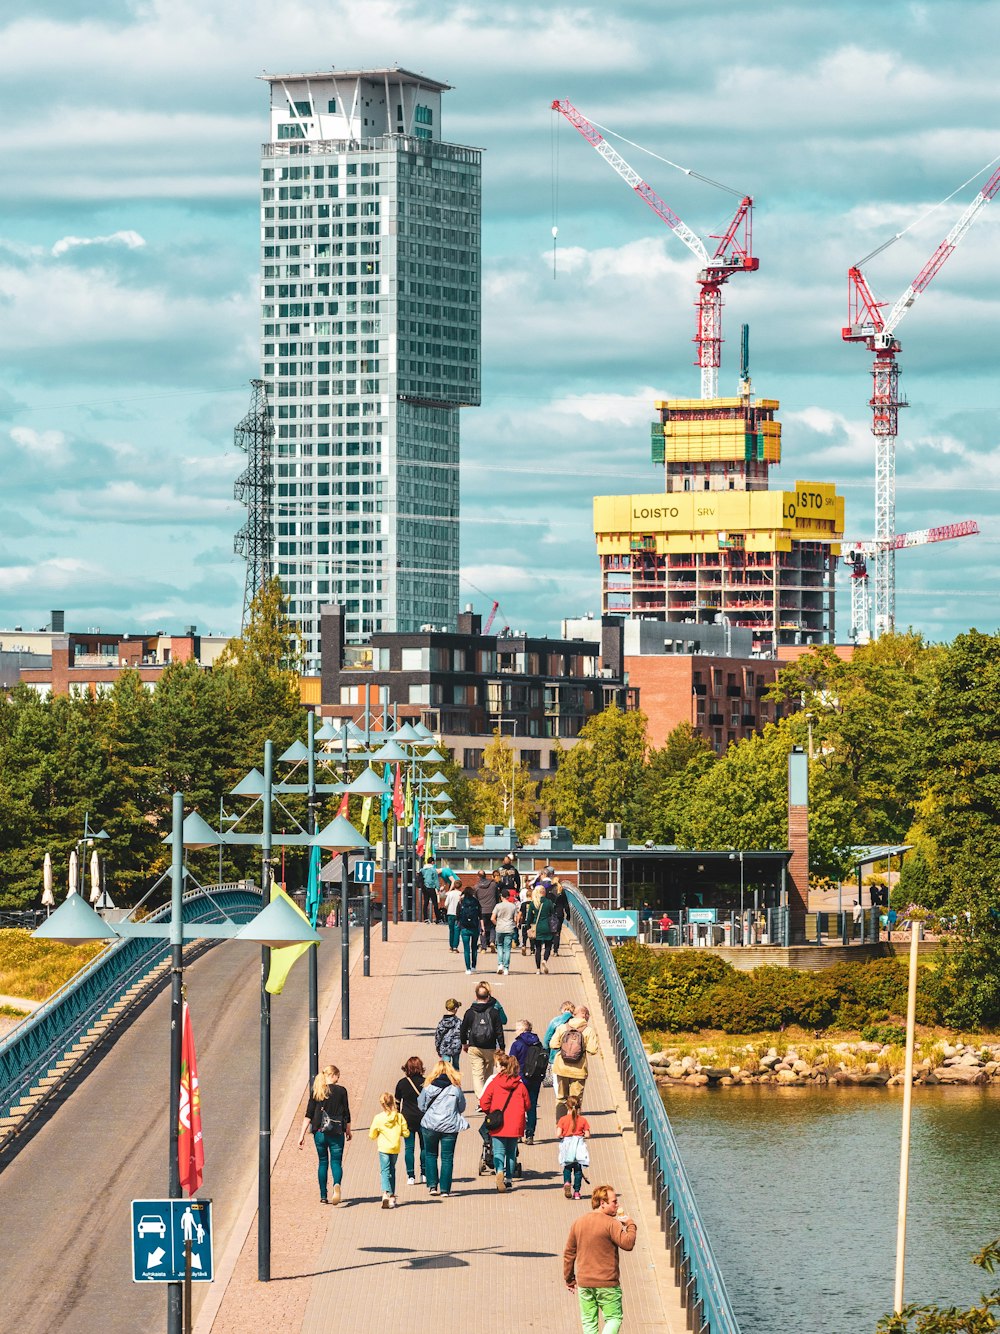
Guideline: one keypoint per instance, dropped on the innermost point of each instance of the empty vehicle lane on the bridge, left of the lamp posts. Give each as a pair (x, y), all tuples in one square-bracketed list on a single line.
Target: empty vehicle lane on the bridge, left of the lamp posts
[(65, 1200)]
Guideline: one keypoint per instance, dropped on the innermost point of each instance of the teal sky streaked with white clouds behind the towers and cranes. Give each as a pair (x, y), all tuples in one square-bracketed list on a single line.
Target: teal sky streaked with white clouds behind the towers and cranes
[(130, 253)]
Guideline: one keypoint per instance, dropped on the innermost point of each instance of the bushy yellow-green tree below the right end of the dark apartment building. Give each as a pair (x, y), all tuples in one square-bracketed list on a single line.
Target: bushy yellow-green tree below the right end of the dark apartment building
[(599, 780)]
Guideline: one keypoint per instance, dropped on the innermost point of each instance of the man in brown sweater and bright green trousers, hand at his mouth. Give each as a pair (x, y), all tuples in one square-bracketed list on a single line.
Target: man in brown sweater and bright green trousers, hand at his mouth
[(591, 1260)]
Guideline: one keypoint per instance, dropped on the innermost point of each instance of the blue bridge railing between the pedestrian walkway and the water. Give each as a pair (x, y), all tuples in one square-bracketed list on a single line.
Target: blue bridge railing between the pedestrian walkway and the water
[(697, 1269)]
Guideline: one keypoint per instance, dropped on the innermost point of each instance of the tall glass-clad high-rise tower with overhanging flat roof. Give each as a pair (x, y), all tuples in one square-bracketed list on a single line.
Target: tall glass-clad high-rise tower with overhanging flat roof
[(370, 346)]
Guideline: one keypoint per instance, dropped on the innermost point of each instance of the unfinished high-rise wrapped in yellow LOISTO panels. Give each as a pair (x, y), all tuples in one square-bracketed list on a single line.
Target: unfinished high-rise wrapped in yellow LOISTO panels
[(717, 542)]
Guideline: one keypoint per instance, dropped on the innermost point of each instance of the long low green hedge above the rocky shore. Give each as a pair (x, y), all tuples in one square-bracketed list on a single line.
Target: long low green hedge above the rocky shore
[(691, 990)]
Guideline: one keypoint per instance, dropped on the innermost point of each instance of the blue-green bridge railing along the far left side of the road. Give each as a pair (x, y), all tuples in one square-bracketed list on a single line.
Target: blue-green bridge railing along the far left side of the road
[(49, 1035)]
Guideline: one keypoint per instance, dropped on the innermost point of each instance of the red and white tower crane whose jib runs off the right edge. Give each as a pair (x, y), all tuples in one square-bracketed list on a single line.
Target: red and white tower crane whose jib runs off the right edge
[(870, 326)]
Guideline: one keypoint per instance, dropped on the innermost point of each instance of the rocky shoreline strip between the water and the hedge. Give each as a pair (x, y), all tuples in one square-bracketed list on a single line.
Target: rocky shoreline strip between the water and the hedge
[(851, 1064)]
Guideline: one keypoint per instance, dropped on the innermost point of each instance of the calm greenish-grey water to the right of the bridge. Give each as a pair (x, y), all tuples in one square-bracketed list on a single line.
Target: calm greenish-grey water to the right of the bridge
[(798, 1189)]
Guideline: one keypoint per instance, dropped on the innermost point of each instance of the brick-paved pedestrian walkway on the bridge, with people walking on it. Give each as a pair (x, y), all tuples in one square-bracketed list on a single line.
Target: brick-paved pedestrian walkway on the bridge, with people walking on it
[(479, 1261)]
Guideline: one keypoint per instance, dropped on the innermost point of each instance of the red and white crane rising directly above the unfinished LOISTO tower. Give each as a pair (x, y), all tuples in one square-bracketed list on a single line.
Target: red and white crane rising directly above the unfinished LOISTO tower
[(733, 254)]
